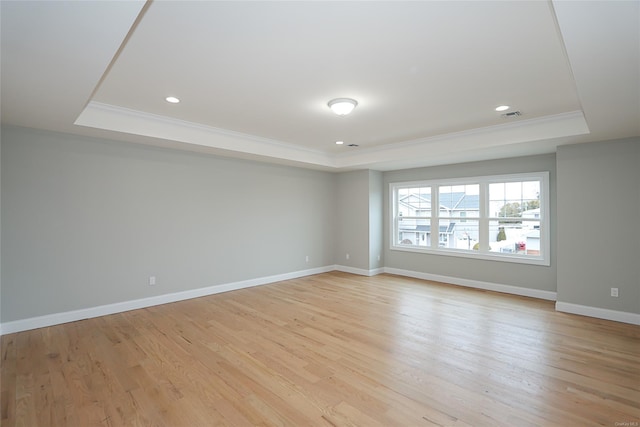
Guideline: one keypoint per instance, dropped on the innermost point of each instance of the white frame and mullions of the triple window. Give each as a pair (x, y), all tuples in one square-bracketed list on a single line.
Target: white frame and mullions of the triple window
[(484, 219)]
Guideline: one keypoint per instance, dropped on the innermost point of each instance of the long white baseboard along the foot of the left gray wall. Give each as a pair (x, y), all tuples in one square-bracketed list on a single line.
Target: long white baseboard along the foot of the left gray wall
[(103, 310)]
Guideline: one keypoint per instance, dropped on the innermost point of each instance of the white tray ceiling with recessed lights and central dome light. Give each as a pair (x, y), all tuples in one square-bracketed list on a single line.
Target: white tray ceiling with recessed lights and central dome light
[(254, 78)]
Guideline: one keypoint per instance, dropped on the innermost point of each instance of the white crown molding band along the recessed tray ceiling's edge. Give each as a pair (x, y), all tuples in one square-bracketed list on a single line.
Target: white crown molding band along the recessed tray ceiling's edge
[(119, 119)]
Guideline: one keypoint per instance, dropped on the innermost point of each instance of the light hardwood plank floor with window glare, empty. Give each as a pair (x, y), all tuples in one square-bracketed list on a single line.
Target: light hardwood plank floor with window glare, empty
[(329, 350)]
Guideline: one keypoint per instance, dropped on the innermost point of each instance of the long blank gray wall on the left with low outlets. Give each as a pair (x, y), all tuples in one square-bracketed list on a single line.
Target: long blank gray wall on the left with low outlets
[(85, 222)]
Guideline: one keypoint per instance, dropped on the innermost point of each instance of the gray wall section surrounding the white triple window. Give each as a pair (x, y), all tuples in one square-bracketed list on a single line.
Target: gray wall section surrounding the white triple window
[(521, 275)]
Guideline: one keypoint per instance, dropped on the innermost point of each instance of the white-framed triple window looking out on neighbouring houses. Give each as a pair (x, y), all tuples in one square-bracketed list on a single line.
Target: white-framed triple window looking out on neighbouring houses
[(495, 217)]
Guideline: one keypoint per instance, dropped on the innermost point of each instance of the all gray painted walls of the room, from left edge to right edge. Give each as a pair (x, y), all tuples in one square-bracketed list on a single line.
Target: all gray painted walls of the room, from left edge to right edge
[(85, 222)]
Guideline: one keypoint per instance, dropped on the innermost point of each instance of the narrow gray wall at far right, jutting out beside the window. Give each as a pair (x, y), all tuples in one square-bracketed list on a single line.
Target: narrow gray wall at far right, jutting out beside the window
[(599, 224)]
